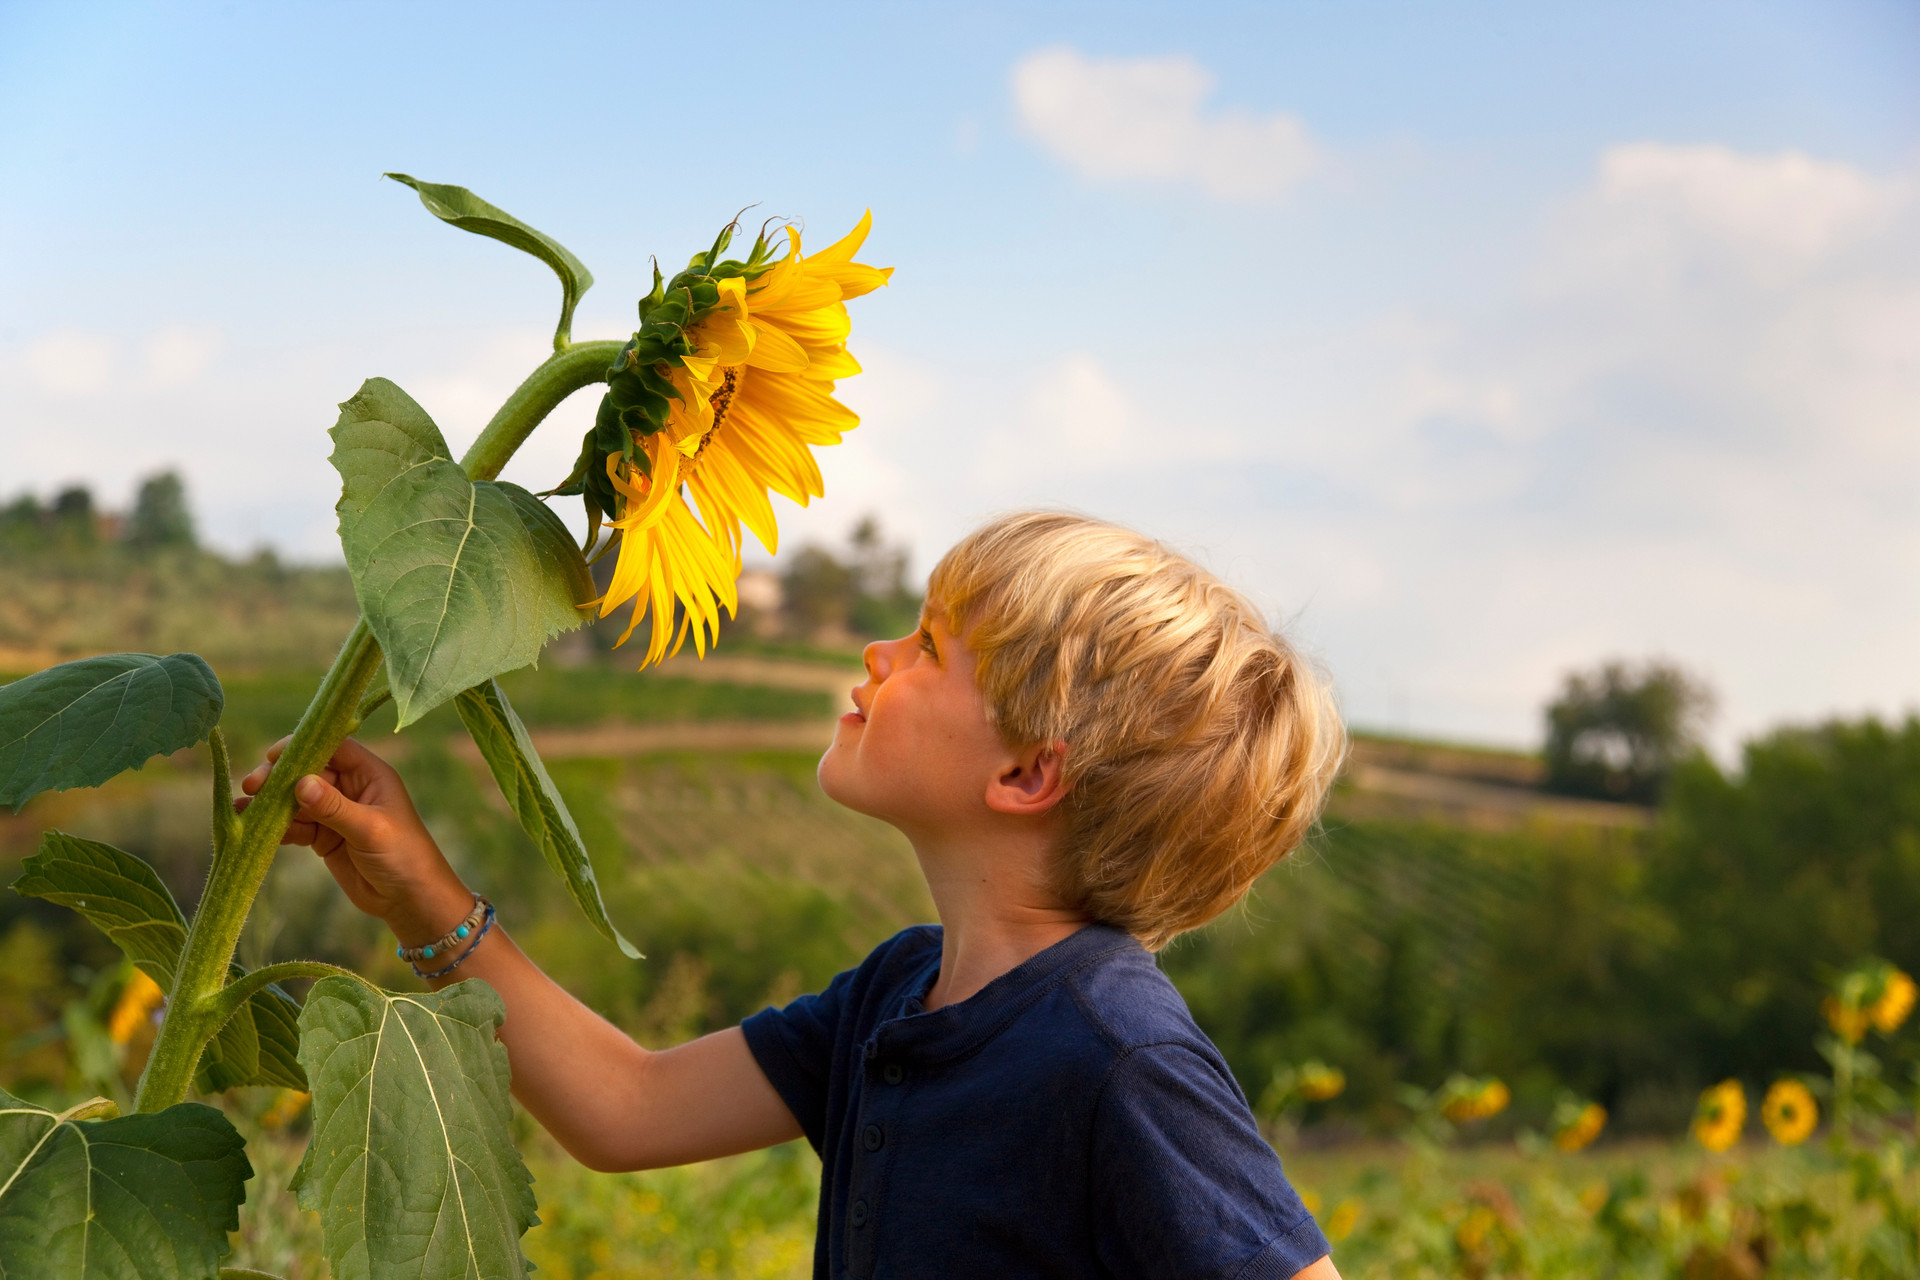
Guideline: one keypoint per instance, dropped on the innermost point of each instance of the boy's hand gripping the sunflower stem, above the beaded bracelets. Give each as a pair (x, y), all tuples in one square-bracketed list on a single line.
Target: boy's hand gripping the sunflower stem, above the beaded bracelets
[(358, 817)]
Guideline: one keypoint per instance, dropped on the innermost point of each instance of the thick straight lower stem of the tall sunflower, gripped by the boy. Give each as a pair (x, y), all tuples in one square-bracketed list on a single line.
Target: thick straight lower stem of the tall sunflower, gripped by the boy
[(193, 1005)]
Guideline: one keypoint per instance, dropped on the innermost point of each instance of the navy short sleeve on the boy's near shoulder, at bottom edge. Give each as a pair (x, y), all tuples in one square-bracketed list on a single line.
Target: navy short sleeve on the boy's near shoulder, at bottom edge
[(1186, 1185)]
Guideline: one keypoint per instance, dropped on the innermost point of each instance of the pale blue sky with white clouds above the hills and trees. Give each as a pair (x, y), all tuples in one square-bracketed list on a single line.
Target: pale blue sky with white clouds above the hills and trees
[(1476, 341)]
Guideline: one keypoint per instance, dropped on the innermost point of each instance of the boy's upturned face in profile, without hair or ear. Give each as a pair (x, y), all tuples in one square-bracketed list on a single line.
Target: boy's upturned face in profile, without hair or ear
[(917, 751)]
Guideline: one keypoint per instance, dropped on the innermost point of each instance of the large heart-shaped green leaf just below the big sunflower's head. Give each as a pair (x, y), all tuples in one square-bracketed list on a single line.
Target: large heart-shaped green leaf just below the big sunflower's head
[(460, 581)]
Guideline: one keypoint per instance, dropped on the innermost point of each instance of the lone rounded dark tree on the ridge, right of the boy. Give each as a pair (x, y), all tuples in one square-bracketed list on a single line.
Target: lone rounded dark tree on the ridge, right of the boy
[(1618, 732)]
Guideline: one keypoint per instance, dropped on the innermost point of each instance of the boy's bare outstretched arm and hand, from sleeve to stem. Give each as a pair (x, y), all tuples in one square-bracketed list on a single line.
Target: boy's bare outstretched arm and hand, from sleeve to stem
[(608, 1101)]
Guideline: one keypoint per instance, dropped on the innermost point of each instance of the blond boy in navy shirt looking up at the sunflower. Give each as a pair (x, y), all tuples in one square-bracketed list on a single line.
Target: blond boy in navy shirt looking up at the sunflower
[(1093, 747)]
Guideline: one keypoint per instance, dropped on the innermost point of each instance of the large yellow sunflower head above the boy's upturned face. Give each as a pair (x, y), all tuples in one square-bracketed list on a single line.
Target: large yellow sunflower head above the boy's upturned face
[(719, 404)]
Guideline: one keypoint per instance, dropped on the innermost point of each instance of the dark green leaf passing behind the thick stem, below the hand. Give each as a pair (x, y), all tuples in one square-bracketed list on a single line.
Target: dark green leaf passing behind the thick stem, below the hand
[(124, 899)]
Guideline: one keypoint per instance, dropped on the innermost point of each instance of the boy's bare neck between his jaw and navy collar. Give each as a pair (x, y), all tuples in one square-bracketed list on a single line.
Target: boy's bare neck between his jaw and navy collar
[(996, 914)]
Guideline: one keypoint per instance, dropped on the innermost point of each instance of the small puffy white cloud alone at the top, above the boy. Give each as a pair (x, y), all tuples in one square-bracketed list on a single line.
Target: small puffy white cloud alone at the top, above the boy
[(1147, 118)]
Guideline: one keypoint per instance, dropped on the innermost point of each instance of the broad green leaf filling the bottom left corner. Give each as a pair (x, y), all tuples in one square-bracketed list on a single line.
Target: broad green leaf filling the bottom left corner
[(132, 1198)]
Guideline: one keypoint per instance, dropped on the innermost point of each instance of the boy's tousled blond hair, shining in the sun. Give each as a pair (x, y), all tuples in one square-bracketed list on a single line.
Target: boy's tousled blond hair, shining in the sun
[(1201, 744)]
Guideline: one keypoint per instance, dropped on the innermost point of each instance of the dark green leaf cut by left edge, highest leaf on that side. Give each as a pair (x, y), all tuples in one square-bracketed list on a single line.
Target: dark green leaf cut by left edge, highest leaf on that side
[(80, 724)]
